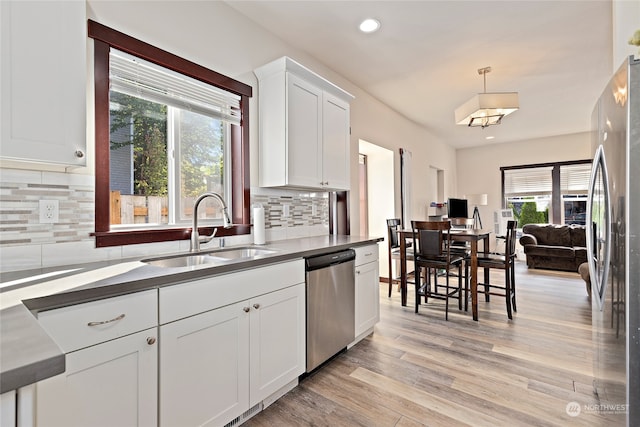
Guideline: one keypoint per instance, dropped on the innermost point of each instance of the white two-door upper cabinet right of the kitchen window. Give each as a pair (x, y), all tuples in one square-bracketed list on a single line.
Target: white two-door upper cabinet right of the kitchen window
[(304, 128)]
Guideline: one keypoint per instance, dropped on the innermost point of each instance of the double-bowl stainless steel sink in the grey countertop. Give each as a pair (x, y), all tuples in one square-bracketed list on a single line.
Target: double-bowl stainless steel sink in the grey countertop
[(210, 259)]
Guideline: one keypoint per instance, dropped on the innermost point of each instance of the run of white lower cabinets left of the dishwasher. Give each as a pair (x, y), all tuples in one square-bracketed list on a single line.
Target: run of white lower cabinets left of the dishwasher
[(224, 345)]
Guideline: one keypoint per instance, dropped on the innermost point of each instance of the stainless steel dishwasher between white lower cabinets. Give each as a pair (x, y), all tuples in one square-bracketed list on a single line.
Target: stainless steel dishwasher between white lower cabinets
[(330, 305)]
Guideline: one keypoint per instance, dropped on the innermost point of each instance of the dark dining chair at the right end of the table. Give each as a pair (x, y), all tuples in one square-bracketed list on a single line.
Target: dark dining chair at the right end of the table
[(506, 262)]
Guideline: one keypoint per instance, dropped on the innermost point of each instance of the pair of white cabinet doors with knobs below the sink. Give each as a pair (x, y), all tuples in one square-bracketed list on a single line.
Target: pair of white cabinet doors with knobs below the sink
[(216, 365)]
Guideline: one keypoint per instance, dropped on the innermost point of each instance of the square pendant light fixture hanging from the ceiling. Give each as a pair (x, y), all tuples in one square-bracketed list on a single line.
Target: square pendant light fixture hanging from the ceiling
[(487, 108)]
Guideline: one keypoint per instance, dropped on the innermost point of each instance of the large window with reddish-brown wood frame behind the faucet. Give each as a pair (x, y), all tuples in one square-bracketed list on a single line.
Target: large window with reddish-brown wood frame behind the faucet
[(167, 130)]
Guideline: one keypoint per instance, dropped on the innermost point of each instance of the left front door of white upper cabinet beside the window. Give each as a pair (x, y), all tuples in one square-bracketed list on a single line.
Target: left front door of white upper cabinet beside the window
[(304, 133)]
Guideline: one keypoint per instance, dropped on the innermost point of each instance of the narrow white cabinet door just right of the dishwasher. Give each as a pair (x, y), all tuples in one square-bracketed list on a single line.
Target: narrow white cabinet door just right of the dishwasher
[(367, 308)]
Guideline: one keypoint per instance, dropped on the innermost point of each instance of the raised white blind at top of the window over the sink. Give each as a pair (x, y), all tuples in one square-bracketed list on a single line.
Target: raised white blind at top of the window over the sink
[(136, 77)]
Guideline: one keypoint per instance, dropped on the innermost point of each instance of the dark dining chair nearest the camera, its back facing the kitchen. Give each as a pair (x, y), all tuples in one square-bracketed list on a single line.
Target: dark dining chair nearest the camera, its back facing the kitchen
[(432, 252)]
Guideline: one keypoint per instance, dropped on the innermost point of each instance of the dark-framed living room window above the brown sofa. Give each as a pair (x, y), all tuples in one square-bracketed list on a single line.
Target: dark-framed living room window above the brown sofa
[(547, 193)]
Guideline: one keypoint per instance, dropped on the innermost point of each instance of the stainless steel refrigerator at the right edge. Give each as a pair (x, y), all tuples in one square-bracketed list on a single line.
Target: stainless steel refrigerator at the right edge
[(613, 241)]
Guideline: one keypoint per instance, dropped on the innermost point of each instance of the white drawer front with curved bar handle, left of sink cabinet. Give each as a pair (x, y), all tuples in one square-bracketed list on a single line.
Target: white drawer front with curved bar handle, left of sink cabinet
[(87, 324)]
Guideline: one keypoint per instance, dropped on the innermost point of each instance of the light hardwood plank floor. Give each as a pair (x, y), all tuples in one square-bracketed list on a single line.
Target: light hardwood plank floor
[(418, 369)]
